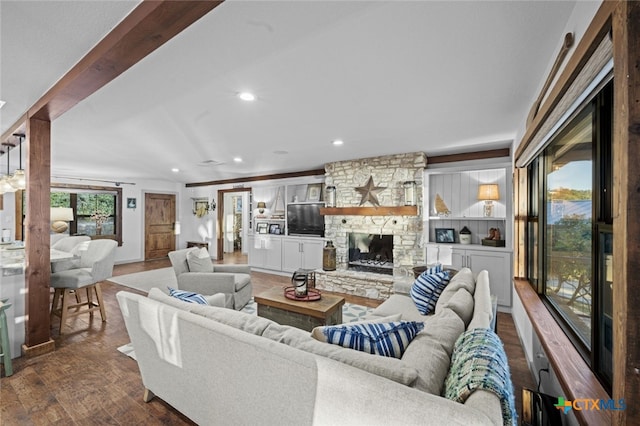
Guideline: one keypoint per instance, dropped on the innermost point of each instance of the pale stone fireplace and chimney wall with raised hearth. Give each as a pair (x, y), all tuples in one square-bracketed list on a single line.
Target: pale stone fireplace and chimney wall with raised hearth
[(404, 232)]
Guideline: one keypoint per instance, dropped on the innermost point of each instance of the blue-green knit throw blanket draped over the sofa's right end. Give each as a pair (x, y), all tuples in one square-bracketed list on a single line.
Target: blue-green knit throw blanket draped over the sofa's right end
[(479, 362)]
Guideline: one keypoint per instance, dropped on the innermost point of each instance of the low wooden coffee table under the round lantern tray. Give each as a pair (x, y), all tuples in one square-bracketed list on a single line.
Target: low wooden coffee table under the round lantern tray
[(273, 305)]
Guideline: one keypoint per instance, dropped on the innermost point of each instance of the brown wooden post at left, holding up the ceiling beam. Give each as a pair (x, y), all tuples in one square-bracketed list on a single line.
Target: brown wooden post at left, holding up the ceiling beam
[(37, 241)]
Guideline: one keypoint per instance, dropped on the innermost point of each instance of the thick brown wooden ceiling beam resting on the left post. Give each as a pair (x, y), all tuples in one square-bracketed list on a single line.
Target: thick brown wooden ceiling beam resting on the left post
[(151, 24)]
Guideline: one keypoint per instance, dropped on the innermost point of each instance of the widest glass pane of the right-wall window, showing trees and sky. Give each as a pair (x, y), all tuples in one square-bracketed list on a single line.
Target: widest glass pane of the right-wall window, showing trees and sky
[(568, 225)]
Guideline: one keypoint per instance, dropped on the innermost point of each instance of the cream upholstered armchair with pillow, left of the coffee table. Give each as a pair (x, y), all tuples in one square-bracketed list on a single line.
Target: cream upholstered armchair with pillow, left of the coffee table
[(196, 272)]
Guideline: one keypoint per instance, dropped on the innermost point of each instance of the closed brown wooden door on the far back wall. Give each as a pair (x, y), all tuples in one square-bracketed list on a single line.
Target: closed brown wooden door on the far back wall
[(159, 220)]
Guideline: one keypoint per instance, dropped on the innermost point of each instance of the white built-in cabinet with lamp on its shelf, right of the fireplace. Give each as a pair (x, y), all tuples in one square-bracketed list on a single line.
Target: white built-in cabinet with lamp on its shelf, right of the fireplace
[(457, 187)]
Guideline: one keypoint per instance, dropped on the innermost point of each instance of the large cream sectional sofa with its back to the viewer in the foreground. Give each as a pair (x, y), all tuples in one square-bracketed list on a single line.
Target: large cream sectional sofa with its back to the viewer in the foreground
[(219, 366)]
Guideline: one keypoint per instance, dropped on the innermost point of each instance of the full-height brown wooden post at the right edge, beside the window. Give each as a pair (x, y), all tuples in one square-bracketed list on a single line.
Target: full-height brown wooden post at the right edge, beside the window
[(626, 226)]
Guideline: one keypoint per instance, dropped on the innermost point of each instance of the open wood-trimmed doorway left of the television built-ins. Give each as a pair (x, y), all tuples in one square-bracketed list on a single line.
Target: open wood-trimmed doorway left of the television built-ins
[(233, 223)]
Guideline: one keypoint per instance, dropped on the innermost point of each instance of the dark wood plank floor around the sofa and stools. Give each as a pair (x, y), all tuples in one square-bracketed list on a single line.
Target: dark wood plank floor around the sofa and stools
[(86, 381)]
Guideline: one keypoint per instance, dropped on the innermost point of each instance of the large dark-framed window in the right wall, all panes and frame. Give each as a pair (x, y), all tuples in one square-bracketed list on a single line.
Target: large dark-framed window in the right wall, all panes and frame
[(570, 229)]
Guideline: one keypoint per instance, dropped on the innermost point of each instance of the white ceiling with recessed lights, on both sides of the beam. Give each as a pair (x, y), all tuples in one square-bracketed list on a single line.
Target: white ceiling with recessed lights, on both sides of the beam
[(386, 77)]
